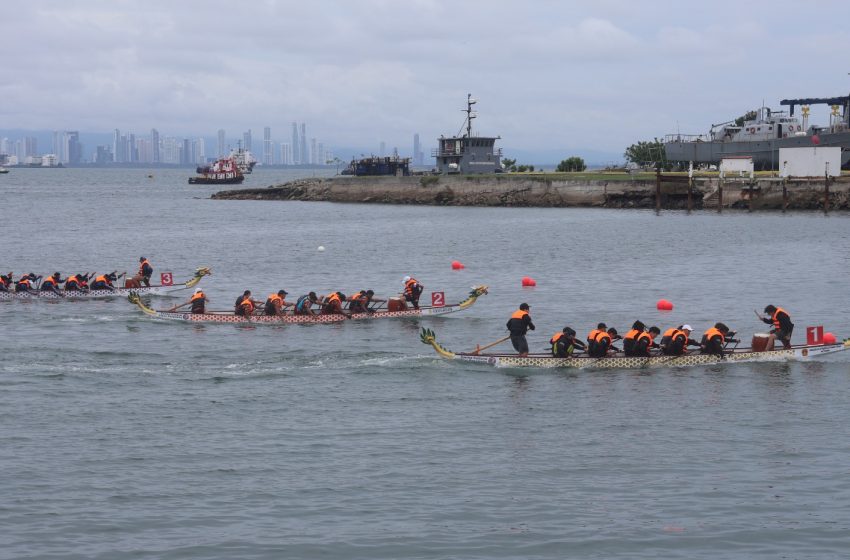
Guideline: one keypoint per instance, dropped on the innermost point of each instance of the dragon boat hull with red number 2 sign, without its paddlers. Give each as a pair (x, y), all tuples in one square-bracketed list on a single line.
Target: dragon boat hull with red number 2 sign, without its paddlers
[(230, 317)]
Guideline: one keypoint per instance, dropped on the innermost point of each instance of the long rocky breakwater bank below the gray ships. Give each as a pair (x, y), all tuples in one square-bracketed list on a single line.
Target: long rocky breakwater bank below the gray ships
[(557, 190)]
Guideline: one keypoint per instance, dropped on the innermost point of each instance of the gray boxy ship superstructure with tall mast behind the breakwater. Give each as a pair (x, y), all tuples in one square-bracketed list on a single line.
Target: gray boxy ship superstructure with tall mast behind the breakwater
[(468, 153)]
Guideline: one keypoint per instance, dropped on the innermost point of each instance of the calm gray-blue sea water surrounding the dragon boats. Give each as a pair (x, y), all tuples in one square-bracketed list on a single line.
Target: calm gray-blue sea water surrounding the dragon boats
[(127, 437)]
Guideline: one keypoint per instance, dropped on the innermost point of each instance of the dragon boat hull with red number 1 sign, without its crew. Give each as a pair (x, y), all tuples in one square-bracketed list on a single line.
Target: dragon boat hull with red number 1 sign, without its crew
[(800, 352)]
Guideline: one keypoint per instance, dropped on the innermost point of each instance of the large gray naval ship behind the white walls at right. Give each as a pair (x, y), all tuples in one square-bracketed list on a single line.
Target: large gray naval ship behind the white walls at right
[(762, 136)]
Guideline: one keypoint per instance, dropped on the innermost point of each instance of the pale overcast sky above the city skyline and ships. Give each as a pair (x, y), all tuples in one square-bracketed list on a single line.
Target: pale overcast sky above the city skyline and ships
[(594, 75)]
